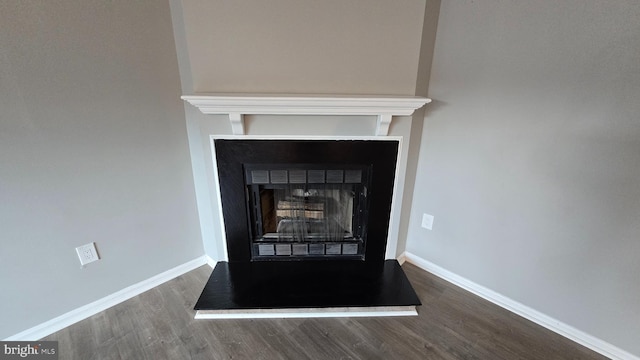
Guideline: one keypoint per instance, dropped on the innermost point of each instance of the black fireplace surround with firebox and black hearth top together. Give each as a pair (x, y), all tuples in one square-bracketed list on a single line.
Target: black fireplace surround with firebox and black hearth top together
[(306, 226)]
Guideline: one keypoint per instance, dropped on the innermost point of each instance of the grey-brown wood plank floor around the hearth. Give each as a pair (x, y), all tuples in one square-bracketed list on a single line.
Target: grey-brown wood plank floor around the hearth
[(453, 324)]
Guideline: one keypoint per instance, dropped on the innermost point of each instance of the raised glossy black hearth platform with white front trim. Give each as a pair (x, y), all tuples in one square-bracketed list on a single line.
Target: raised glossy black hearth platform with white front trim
[(278, 289)]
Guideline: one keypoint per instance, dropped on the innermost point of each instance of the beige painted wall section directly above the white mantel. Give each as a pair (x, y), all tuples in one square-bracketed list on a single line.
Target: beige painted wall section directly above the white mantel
[(316, 47)]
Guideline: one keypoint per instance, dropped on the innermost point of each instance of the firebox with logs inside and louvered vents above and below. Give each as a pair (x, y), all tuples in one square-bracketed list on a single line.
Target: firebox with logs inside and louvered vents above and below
[(307, 211)]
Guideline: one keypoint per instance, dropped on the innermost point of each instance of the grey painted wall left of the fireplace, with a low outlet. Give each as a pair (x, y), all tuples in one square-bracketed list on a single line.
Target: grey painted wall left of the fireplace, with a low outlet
[(93, 148)]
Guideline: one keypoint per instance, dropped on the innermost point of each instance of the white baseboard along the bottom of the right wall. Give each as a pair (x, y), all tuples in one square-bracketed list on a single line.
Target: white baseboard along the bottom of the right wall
[(526, 312)]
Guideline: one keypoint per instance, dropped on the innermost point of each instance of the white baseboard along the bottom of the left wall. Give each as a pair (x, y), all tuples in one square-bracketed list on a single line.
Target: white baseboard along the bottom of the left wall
[(81, 313)]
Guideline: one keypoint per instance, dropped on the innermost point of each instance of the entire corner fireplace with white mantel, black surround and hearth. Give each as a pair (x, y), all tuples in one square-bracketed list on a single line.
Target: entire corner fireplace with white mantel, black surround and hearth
[(306, 223)]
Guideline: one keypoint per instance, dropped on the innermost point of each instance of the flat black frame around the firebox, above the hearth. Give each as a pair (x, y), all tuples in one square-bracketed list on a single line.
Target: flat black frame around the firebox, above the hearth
[(232, 154)]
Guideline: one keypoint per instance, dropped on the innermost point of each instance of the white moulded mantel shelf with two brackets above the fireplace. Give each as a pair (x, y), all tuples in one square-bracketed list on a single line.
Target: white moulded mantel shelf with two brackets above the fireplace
[(237, 105)]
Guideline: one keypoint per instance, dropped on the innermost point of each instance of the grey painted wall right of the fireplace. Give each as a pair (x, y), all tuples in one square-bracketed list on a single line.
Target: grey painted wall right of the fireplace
[(530, 158)]
